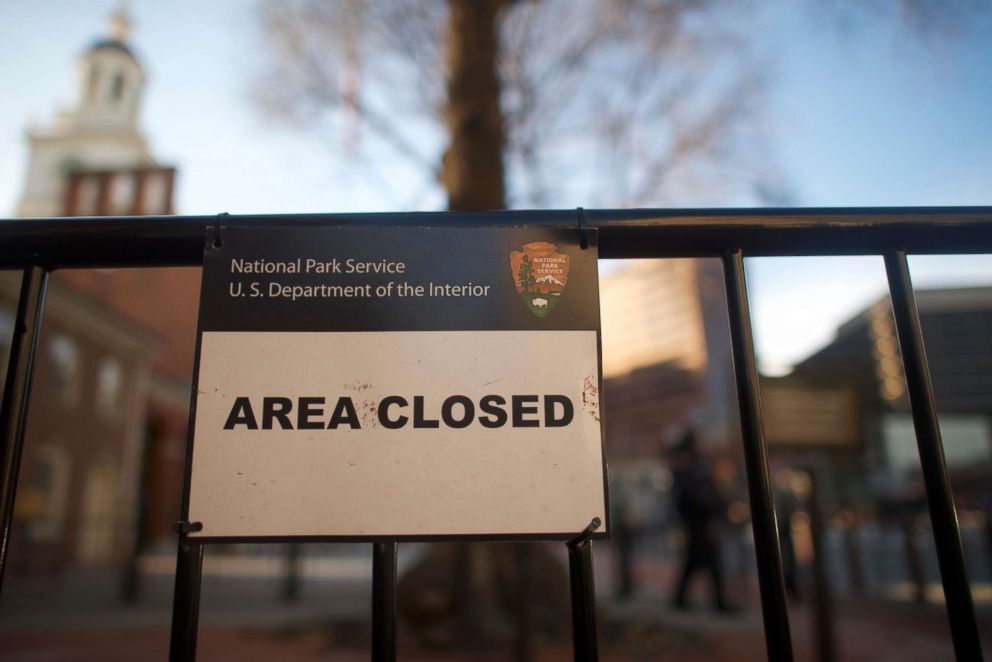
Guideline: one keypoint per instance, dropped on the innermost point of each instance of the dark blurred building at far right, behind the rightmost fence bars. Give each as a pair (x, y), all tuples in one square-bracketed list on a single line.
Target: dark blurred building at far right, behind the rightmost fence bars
[(857, 382)]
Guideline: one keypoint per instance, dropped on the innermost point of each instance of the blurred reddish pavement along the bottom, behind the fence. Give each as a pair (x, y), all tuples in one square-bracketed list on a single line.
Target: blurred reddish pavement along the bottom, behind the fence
[(245, 617)]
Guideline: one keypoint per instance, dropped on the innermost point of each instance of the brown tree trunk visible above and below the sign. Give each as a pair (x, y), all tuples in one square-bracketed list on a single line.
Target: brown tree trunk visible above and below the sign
[(477, 594)]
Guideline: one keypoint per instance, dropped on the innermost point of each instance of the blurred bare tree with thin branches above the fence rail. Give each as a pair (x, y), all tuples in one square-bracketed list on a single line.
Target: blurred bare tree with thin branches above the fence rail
[(595, 102)]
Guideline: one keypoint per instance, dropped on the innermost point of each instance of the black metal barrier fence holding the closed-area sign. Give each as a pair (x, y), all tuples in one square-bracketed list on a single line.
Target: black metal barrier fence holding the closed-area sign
[(39, 246)]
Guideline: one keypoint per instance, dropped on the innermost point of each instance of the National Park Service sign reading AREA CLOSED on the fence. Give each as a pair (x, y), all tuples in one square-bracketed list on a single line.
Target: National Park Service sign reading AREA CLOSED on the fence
[(356, 382)]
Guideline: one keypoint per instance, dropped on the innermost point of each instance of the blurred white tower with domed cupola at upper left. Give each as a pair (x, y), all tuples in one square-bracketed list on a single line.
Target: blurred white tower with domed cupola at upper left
[(98, 132)]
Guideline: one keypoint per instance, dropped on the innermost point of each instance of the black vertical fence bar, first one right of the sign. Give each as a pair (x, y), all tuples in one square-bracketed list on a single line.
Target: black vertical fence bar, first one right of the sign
[(778, 637)]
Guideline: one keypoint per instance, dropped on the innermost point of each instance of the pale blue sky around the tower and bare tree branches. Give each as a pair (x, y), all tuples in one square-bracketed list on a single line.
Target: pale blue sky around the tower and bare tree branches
[(863, 116)]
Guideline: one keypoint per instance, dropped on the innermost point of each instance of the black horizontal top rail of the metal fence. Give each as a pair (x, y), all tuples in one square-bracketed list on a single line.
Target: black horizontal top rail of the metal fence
[(144, 241)]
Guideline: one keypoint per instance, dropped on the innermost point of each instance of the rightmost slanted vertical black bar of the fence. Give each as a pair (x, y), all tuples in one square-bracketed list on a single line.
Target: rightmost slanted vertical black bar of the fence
[(946, 533)]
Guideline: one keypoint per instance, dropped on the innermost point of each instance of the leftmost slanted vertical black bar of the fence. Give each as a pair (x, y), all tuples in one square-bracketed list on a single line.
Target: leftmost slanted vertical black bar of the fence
[(16, 394)]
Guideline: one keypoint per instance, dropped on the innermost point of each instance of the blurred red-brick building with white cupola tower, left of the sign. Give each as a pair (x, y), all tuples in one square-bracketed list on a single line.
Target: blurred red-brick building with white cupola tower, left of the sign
[(109, 406)]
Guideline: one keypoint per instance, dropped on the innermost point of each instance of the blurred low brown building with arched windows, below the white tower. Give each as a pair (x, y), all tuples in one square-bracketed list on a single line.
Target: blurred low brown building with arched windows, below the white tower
[(78, 493)]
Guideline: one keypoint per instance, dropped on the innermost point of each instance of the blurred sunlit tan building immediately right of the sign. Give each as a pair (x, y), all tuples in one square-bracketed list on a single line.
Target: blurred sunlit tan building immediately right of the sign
[(666, 357)]
